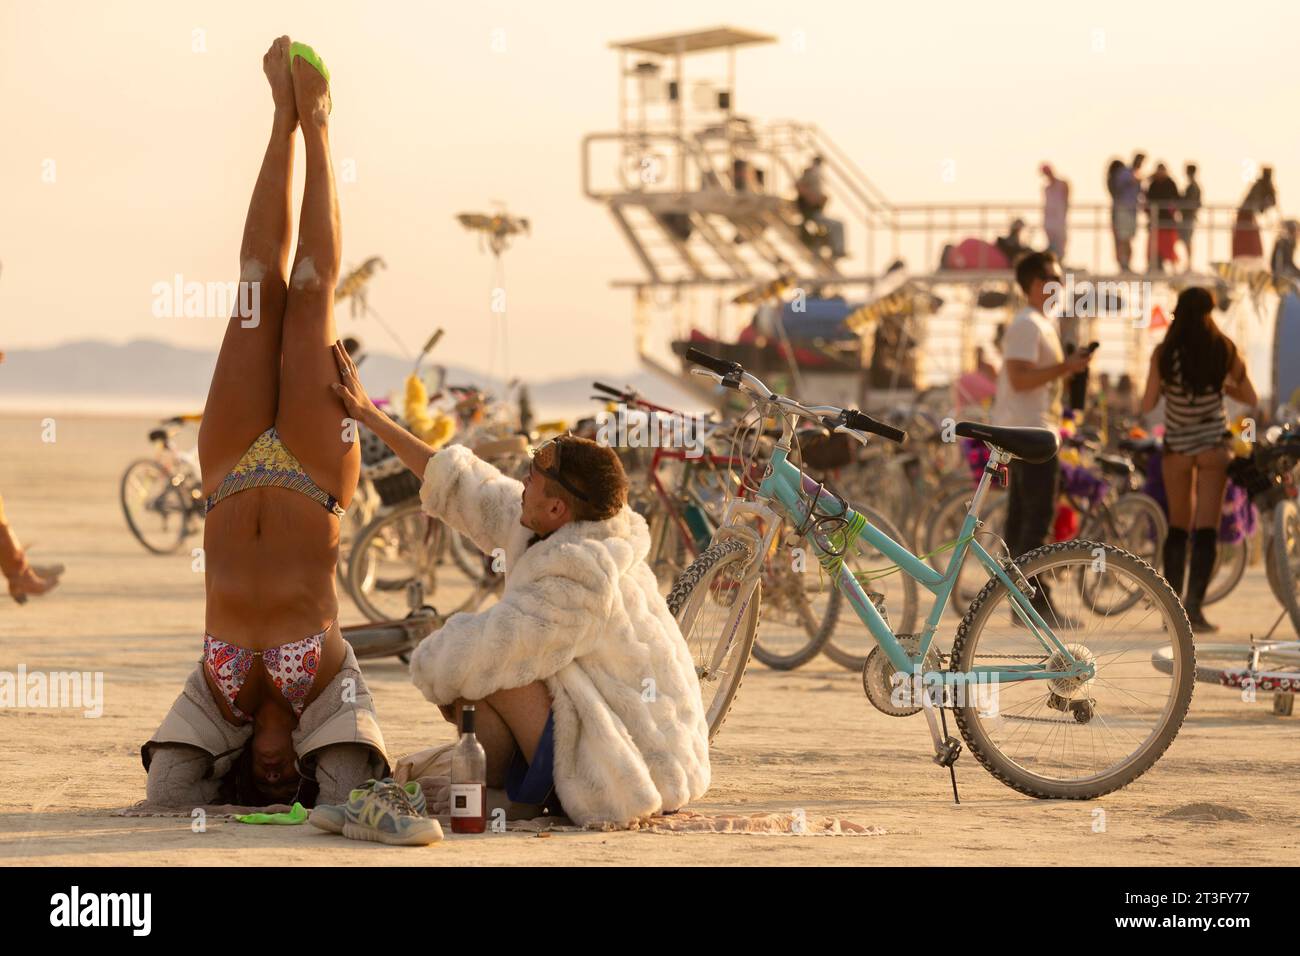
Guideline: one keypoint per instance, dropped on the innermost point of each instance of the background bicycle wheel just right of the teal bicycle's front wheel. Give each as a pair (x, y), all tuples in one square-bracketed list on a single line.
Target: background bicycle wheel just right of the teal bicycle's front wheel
[(800, 608)]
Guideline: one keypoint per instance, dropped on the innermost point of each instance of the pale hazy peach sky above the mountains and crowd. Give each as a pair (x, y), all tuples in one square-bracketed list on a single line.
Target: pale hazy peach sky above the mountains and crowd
[(155, 146)]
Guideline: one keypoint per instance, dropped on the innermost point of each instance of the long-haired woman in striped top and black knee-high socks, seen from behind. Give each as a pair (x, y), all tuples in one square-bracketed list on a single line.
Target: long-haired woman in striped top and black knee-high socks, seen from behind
[(1194, 369)]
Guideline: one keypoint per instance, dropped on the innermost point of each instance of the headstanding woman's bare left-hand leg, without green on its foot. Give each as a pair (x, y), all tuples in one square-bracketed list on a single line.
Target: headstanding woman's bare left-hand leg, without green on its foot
[(246, 383)]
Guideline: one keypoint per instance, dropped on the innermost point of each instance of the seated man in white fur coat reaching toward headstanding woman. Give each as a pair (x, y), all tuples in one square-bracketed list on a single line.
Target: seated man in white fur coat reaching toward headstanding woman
[(586, 693)]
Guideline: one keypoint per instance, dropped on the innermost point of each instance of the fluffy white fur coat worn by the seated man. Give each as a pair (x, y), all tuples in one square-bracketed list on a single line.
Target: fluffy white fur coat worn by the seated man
[(580, 612)]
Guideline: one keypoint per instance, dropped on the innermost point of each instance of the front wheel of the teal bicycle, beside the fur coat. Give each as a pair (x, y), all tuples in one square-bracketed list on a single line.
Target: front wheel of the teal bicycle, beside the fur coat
[(717, 604)]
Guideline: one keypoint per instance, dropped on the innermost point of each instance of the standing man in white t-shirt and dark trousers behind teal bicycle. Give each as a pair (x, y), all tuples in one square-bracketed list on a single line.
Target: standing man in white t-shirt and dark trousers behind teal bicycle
[(1029, 393)]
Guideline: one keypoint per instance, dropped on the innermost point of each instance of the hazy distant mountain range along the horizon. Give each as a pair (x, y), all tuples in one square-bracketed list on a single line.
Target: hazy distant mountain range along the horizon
[(157, 377)]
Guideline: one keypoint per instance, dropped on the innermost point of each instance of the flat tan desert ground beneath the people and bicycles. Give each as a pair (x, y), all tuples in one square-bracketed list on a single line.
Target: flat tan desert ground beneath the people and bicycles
[(804, 741)]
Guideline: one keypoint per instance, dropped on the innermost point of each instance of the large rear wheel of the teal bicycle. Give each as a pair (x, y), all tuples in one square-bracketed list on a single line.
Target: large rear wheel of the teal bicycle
[(1074, 738)]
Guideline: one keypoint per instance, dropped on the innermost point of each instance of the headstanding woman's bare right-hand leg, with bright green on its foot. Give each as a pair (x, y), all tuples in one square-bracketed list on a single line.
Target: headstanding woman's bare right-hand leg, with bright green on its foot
[(310, 418)]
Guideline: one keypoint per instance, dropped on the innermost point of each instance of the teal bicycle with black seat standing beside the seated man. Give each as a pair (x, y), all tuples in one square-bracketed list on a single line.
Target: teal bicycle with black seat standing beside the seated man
[(1054, 694)]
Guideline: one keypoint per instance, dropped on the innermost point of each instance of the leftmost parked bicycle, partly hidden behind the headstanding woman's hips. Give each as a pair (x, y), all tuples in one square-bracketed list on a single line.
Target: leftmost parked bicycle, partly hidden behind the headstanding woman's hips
[(163, 496)]
